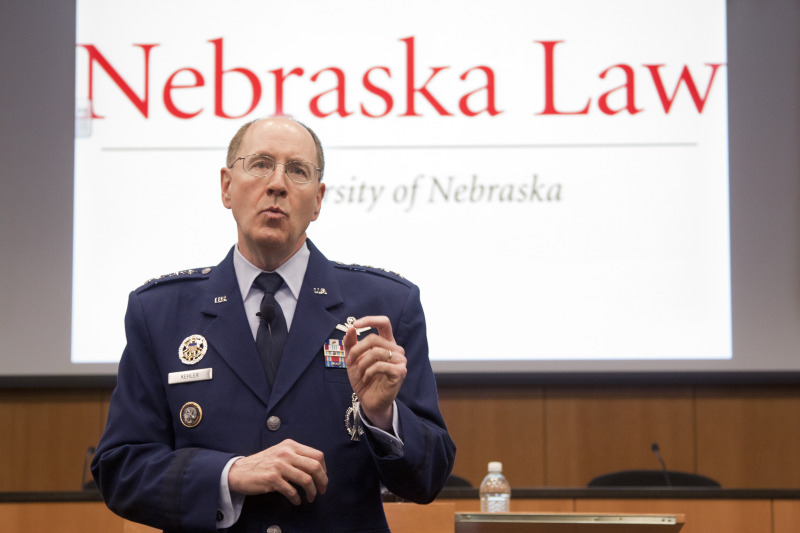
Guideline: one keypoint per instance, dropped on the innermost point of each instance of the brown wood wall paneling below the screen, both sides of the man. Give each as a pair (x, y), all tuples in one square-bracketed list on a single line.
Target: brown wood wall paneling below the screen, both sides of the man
[(743, 436)]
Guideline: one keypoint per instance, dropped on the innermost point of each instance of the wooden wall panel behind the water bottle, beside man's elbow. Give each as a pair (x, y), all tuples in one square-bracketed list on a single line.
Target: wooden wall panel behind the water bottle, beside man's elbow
[(496, 424)]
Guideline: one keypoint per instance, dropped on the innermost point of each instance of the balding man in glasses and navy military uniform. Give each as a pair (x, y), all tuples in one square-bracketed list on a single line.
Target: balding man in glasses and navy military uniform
[(234, 408)]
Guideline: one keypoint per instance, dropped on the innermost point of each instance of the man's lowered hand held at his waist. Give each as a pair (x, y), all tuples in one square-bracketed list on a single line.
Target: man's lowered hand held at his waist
[(279, 469)]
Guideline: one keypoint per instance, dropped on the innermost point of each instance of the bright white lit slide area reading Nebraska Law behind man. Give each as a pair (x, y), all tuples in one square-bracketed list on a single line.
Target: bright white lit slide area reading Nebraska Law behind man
[(557, 185)]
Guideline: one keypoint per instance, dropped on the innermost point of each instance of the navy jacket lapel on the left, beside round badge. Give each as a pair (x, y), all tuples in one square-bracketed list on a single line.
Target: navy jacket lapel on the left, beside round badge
[(228, 332)]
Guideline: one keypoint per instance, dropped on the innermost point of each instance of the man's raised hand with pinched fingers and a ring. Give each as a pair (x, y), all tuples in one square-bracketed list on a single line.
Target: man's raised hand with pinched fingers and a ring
[(376, 366)]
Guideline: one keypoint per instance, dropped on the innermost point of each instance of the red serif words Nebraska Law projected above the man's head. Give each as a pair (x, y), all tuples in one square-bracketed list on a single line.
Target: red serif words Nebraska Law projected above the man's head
[(472, 102)]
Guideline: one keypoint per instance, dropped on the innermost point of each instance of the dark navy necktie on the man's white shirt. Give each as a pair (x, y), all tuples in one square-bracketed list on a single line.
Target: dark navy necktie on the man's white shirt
[(272, 330)]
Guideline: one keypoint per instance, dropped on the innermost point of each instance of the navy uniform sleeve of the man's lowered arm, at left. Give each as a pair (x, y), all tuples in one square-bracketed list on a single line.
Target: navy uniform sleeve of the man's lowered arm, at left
[(139, 473)]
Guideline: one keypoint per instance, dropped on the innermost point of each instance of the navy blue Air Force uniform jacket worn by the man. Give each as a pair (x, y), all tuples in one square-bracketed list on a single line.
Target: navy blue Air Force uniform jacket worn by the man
[(151, 468)]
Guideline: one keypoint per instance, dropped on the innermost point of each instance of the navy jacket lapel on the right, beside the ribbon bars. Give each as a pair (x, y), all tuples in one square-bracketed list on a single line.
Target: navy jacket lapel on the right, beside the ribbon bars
[(311, 325)]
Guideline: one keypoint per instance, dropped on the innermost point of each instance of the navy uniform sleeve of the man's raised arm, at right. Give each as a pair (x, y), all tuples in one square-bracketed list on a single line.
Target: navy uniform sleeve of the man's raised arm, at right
[(418, 474)]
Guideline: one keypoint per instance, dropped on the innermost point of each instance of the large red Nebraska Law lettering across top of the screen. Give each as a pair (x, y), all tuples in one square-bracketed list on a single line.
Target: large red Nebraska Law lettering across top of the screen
[(470, 93)]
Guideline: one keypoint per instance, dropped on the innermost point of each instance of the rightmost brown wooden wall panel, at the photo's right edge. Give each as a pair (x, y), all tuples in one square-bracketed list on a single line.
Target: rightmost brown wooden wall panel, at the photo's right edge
[(750, 436)]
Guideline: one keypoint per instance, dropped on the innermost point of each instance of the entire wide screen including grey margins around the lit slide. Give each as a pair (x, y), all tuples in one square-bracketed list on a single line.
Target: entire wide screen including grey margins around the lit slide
[(580, 188)]
